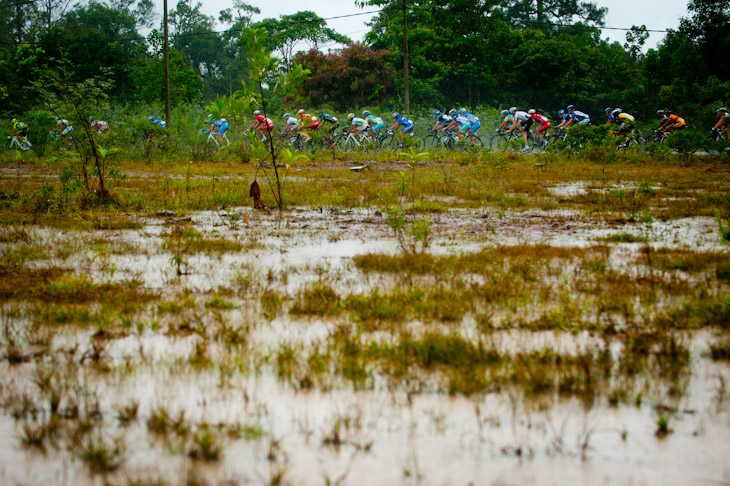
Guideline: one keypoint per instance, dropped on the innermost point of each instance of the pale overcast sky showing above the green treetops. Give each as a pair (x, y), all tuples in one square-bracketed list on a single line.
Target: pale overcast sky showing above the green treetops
[(655, 14)]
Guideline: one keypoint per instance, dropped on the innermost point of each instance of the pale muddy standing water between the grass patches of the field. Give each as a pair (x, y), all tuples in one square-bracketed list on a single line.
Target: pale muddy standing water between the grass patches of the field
[(385, 436)]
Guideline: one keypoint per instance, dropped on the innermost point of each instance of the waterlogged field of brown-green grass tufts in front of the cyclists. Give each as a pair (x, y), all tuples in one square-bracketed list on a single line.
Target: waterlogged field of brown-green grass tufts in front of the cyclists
[(561, 330)]
